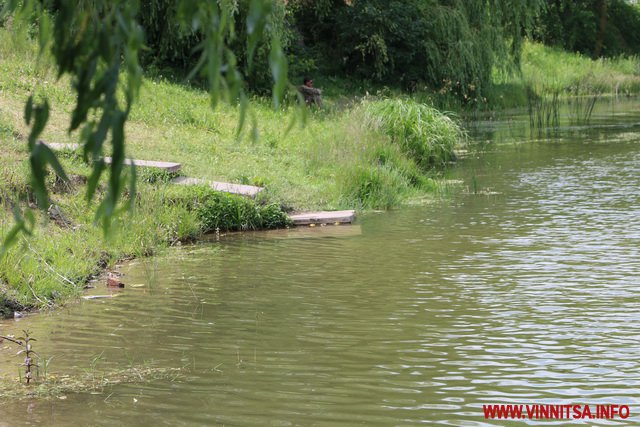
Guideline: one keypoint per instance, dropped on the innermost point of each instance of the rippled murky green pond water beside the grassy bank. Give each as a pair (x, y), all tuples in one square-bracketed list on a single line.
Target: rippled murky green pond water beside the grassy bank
[(521, 287)]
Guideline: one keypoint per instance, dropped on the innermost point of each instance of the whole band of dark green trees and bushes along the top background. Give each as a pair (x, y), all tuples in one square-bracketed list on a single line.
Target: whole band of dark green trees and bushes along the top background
[(450, 47)]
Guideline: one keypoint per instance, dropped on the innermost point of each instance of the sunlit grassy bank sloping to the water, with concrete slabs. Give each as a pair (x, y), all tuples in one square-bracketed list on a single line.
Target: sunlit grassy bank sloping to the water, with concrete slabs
[(346, 156)]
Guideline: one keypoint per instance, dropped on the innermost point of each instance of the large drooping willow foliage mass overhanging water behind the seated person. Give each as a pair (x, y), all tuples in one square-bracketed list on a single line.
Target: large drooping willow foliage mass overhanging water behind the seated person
[(449, 45)]
